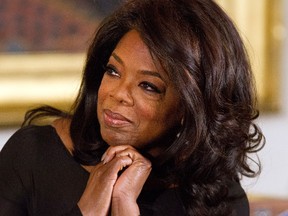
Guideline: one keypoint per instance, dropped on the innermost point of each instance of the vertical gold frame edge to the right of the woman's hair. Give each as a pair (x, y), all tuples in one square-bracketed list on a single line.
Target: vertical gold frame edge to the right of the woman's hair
[(260, 22)]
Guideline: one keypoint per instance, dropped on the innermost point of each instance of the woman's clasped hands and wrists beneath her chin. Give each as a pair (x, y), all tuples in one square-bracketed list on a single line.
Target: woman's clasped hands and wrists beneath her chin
[(107, 192)]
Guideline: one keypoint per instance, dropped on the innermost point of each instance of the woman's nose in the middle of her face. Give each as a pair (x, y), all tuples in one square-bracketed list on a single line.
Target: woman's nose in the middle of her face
[(122, 92)]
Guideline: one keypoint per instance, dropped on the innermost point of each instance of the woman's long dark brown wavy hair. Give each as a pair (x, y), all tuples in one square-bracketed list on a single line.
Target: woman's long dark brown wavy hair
[(200, 49)]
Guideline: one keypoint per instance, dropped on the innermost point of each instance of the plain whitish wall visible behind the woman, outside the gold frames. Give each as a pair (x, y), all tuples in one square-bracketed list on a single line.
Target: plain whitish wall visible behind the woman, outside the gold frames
[(273, 180)]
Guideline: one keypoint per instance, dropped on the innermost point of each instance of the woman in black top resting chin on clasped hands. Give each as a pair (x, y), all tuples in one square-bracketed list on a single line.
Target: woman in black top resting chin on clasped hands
[(162, 125)]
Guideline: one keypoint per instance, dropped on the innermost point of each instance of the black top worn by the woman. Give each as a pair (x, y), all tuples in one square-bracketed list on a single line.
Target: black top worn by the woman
[(38, 176)]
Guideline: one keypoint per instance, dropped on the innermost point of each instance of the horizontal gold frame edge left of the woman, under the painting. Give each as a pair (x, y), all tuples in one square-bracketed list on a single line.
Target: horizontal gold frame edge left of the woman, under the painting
[(31, 80)]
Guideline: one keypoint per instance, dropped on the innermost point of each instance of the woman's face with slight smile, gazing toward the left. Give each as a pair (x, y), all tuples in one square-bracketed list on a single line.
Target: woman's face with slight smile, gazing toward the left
[(137, 103)]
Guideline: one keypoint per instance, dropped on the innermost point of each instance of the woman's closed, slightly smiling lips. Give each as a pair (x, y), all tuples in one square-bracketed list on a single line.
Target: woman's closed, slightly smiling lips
[(113, 119)]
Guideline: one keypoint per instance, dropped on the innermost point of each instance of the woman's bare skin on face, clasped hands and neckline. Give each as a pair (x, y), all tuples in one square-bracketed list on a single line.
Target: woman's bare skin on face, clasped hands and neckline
[(135, 102)]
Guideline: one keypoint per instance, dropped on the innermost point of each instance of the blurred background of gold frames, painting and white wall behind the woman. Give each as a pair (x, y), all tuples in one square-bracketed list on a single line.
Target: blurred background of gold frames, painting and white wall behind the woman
[(42, 53)]
